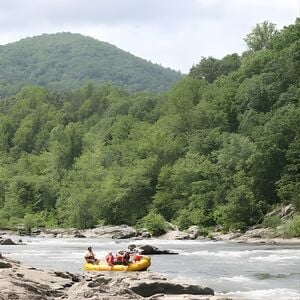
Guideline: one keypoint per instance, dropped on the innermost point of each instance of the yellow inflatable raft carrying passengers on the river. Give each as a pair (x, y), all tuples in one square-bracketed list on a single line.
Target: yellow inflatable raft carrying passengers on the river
[(141, 265)]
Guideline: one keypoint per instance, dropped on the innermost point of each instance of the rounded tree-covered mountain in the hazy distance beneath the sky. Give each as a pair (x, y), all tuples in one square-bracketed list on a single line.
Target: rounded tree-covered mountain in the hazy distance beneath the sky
[(65, 61)]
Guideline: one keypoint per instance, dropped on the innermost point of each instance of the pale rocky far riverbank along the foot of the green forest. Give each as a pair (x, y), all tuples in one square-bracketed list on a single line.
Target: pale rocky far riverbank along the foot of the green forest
[(255, 234)]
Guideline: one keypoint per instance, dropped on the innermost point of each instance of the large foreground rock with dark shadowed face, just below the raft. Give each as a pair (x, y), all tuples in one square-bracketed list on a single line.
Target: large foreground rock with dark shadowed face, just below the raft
[(135, 285)]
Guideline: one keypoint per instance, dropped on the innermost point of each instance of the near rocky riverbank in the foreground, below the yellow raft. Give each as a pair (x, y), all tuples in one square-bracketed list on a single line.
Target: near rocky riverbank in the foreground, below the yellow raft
[(20, 282)]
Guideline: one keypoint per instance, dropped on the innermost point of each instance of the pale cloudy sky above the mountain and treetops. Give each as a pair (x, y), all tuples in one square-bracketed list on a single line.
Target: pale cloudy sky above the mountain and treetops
[(172, 33)]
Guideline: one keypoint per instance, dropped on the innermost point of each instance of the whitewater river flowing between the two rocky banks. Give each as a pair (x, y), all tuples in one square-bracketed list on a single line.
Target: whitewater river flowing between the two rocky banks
[(243, 271)]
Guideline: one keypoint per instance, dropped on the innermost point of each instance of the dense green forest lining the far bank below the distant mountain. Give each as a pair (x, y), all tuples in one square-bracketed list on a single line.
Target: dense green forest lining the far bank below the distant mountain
[(220, 148)]
